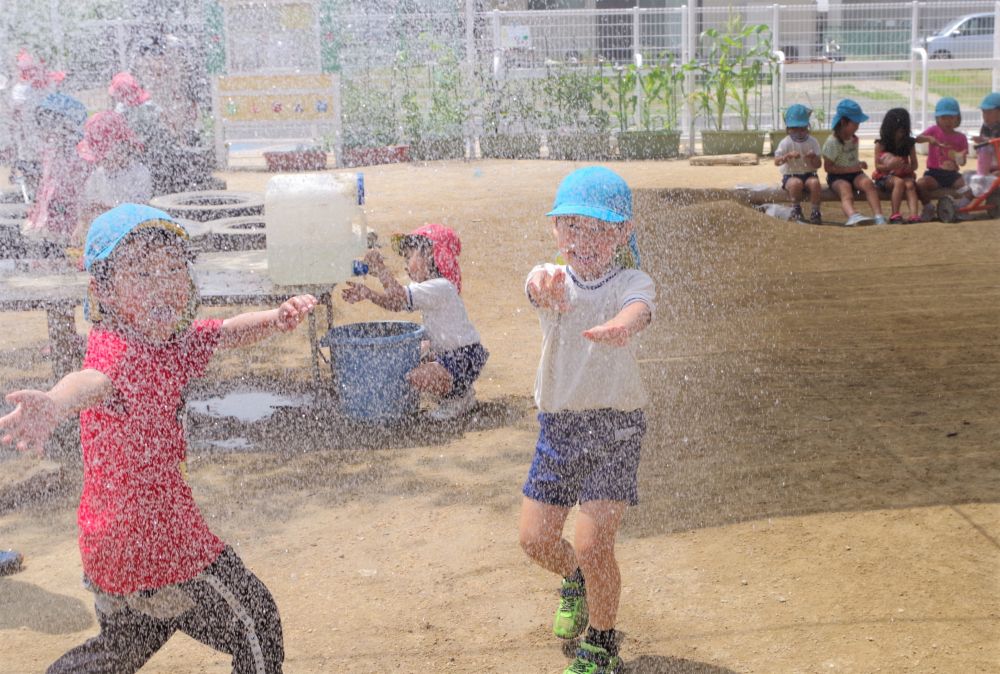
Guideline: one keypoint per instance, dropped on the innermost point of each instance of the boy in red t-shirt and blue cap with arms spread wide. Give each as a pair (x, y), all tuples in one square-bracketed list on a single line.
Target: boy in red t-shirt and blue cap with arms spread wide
[(147, 552)]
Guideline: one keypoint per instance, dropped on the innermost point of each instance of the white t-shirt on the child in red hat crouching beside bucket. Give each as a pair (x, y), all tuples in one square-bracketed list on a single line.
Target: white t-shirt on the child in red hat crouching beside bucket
[(446, 322)]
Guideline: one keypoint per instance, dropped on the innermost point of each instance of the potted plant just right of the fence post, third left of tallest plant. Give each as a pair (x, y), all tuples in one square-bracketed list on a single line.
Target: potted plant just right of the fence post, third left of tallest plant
[(511, 105)]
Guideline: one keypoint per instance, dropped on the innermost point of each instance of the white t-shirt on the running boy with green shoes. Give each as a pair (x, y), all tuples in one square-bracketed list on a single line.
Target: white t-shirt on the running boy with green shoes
[(575, 373)]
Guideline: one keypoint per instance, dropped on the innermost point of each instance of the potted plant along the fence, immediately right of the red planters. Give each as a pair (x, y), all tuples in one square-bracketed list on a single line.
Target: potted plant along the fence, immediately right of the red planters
[(438, 134)]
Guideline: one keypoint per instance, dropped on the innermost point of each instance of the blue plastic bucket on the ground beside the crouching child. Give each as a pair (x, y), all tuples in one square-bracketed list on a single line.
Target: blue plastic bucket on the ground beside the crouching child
[(370, 362)]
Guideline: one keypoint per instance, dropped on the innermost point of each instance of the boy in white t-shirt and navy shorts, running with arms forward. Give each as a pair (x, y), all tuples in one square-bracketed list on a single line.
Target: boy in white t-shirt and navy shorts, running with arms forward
[(590, 397)]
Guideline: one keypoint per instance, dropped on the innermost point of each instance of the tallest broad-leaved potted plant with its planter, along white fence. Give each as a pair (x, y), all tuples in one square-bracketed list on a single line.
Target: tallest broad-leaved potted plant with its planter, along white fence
[(732, 77)]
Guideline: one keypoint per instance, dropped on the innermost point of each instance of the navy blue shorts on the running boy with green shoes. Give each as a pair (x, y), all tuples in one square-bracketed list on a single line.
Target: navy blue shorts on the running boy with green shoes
[(586, 456)]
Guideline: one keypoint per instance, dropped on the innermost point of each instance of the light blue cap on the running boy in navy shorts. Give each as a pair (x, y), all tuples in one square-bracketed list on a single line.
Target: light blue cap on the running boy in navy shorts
[(595, 192)]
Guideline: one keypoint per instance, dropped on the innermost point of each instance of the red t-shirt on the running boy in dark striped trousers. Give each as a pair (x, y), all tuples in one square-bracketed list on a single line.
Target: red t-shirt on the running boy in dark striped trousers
[(139, 525)]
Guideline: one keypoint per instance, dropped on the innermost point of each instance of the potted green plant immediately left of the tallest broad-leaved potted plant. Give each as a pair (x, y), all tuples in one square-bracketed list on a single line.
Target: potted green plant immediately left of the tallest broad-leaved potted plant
[(658, 137)]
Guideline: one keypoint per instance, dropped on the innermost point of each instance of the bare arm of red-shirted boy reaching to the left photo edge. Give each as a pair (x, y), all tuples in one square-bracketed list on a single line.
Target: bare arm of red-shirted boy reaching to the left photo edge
[(37, 413)]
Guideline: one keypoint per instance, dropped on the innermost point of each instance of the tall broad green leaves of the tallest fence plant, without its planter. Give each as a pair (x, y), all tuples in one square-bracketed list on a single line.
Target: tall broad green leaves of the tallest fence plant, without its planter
[(732, 75)]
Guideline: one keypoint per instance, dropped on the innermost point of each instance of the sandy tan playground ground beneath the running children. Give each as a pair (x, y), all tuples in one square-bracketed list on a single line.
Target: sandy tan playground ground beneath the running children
[(819, 479)]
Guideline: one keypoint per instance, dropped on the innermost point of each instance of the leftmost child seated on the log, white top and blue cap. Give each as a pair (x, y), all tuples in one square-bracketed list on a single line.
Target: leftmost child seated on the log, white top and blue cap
[(798, 157)]
